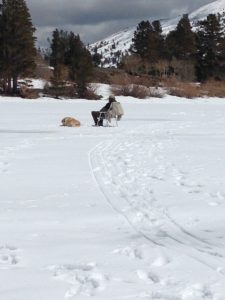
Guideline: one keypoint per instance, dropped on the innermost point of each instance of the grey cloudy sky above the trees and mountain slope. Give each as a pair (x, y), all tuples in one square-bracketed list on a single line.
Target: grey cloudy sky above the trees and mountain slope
[(96, 19)]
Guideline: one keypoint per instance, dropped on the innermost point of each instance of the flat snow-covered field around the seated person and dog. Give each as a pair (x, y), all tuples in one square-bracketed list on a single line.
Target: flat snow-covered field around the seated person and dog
[(128, 212)]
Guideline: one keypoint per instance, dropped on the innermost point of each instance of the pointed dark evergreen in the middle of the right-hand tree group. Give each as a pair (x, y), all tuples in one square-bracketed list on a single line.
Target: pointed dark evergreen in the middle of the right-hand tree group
[(181, 42)]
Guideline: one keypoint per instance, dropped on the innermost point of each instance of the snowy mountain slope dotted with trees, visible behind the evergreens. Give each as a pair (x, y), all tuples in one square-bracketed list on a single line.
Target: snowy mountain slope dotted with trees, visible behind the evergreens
[(119, 43)]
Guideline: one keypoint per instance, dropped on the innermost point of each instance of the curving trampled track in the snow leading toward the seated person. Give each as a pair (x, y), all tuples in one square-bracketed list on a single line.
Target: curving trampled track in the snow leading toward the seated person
[(125, 173)]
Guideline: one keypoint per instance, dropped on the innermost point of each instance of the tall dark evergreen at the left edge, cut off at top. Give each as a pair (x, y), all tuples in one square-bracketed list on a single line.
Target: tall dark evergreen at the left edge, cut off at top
[(17, 51)]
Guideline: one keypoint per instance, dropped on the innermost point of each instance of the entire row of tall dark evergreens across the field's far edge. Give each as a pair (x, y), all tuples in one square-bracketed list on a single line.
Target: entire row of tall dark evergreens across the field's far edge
[(187, 54)]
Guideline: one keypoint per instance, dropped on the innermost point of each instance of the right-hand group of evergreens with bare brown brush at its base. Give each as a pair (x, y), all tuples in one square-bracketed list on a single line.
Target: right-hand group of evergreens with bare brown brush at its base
[(190, 55)]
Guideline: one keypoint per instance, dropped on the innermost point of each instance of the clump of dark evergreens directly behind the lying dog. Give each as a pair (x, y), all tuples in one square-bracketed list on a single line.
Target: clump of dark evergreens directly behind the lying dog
[(71, 61)]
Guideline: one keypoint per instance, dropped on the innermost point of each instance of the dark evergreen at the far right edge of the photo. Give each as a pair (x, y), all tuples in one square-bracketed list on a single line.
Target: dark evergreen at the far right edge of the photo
[(211, 48)]
